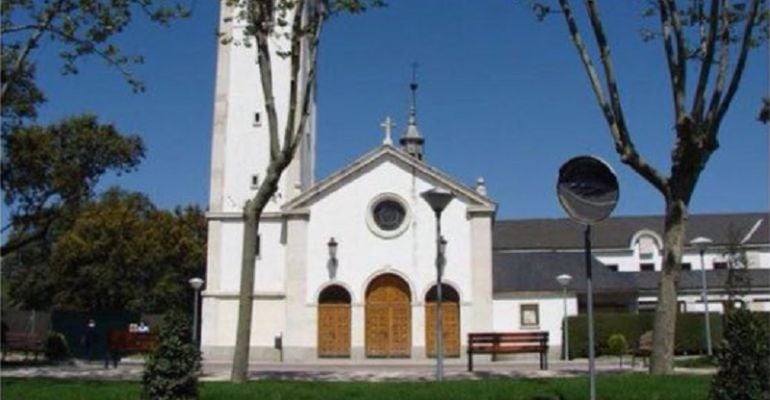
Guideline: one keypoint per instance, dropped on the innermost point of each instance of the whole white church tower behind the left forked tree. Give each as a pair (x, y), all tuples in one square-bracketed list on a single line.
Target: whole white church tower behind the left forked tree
[(239, 159)]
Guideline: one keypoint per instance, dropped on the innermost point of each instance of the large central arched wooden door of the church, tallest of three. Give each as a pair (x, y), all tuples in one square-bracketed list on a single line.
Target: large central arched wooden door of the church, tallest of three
[(388, 317)]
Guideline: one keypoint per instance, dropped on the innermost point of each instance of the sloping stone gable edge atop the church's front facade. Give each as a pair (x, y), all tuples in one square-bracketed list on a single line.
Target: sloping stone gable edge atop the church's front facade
[(387, 151)]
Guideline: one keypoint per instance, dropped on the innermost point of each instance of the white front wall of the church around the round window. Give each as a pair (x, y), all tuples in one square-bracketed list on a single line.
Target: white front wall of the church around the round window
[(362, 254)]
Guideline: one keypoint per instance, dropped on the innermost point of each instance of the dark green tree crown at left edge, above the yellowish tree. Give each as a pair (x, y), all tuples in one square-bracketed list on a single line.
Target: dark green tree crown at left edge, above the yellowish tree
[(50, 171)]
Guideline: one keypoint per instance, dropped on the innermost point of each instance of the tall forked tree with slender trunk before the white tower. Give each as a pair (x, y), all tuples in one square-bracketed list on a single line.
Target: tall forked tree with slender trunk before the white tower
[(300, 22)]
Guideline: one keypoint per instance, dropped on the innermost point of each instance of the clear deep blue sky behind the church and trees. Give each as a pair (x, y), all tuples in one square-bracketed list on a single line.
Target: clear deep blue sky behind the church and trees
[(501, 96)]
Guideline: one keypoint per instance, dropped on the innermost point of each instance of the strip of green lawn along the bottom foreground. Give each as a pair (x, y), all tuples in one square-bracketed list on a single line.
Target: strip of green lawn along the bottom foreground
[(625, 387)]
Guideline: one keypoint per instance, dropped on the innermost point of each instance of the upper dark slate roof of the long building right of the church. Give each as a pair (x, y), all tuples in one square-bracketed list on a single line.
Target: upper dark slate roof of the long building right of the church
[(617, 232)]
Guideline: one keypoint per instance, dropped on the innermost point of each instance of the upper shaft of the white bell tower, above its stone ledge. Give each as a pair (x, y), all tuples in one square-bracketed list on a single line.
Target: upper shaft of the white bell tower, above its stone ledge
[(240, 139)]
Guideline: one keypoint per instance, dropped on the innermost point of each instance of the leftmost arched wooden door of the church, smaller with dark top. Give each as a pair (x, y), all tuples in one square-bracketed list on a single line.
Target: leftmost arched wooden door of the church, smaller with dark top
[(334, 322)]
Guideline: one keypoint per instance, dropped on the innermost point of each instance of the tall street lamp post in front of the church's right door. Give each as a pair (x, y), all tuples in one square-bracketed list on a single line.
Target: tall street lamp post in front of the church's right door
[(438, 199)]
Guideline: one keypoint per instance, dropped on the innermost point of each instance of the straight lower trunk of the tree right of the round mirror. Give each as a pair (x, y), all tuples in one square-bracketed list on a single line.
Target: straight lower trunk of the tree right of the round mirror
[(665, 313)]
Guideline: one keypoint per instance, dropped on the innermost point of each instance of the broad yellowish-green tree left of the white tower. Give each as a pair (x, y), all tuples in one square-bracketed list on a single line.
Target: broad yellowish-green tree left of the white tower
[(120, 253)]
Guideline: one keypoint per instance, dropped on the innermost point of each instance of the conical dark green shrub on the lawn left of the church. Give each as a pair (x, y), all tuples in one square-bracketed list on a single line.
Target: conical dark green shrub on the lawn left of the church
[(171, 373)]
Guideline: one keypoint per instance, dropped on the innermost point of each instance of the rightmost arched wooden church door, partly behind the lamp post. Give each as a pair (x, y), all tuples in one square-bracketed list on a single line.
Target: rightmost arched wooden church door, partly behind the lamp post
[(450, 314)]
